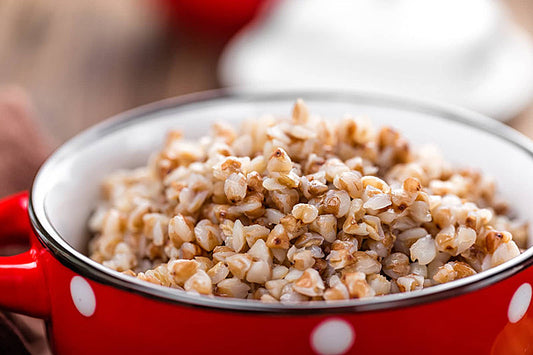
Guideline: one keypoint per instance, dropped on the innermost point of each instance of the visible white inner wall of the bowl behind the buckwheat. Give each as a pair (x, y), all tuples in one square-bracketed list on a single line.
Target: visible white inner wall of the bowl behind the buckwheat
[(68, 185)]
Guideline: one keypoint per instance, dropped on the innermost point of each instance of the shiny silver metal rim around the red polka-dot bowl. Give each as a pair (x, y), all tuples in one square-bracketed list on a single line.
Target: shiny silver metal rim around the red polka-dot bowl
[(95, 271)]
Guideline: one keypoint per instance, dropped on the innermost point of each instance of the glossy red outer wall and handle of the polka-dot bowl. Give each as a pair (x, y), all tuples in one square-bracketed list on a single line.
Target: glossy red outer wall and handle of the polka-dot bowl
[(85, 316)]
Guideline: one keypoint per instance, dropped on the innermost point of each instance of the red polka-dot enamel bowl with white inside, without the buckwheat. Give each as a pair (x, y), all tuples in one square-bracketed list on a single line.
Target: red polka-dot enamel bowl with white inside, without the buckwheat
[(91, 309)]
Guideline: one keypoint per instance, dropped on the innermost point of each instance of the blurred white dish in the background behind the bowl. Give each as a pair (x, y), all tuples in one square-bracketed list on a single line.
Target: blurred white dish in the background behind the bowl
[(465, 53)]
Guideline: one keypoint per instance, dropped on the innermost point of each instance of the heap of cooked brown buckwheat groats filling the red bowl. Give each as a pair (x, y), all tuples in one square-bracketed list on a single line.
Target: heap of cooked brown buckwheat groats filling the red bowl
[(301, 209)]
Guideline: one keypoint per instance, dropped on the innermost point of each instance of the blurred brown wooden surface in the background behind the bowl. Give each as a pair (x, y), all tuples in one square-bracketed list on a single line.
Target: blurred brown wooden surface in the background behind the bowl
[(85, 60)]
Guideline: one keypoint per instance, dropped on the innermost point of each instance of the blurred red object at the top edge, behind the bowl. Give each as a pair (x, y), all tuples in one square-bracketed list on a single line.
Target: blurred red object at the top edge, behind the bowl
[(215, 18)]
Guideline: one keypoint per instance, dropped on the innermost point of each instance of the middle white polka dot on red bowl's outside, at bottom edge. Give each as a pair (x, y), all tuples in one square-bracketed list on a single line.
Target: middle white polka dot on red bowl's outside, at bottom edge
[(333, 336)]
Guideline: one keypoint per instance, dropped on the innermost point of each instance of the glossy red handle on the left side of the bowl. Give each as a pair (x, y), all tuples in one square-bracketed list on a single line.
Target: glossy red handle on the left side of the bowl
[(22, 282)]
